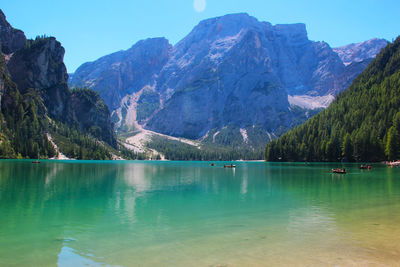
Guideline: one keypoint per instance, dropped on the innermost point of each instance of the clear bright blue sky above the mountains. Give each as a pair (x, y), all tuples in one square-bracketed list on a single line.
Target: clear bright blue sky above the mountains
[(89, 29)]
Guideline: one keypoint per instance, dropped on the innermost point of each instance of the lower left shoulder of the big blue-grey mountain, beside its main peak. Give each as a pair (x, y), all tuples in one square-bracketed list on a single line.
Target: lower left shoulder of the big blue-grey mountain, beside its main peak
[(125, 72)]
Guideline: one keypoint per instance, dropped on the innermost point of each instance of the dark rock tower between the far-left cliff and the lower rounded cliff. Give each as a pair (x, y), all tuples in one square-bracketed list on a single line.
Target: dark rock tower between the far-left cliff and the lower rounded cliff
[(40, 65)]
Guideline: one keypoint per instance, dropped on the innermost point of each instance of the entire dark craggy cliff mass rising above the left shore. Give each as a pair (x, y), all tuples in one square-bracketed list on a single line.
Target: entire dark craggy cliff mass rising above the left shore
[(34, 79)]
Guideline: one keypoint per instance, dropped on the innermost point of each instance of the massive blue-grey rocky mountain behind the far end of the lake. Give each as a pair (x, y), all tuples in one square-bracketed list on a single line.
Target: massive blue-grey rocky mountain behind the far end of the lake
[(231, 77)]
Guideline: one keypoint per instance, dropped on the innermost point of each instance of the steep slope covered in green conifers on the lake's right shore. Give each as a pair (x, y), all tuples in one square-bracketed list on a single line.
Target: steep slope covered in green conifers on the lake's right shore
[(362, 124)]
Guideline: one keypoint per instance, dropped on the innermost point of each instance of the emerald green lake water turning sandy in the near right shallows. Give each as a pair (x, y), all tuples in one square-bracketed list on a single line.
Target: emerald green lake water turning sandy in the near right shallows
[(72, 213)]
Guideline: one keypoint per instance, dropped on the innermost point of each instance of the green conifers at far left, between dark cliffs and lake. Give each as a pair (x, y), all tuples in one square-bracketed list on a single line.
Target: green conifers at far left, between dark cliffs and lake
[(21, 127)]
